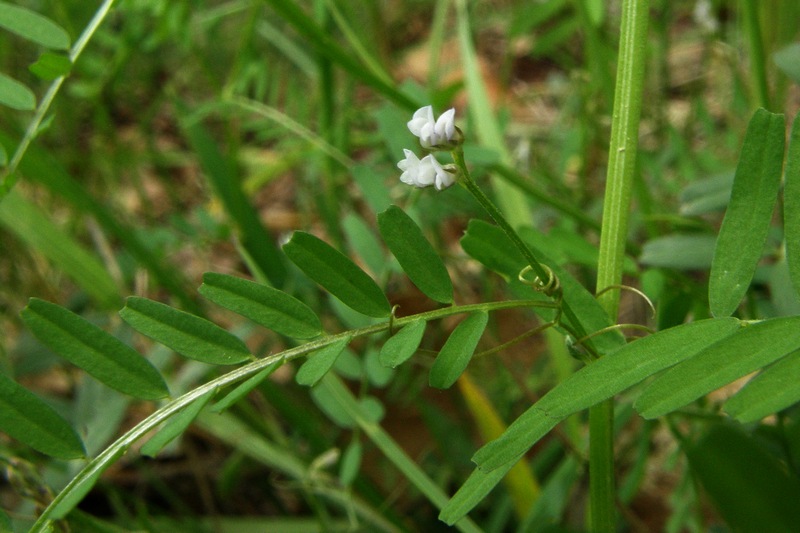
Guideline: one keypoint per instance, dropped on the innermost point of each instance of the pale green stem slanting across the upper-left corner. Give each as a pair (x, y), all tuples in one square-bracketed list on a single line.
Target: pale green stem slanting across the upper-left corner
[(9, 176)]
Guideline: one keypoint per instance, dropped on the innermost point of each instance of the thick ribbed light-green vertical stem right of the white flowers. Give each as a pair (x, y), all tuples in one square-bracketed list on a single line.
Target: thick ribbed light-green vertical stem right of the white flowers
[(616, 208)]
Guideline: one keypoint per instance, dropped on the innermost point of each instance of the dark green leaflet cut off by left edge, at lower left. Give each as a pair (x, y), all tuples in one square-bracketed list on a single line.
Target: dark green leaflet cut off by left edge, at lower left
[(25, 417)]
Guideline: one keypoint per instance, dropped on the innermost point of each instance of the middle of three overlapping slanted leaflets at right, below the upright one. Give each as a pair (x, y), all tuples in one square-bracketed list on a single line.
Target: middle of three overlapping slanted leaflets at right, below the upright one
[(751, 348)]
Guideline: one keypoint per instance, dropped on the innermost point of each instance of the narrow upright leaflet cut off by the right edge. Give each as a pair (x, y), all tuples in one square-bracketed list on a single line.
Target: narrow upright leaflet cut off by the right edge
[(791, 205)]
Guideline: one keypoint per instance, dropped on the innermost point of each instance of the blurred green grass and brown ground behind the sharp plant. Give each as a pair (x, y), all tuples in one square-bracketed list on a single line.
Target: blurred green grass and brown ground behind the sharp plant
[(195, 136)]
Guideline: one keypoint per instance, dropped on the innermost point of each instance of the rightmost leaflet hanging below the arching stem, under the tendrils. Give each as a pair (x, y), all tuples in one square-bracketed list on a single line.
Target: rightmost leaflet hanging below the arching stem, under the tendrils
[(457, 351)]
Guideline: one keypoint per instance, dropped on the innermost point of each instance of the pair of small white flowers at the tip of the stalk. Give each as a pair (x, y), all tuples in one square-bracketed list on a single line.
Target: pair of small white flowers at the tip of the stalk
[(434, 134)]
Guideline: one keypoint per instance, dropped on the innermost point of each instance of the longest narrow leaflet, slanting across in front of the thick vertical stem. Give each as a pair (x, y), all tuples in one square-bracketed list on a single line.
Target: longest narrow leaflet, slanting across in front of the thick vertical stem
[(609, 375)]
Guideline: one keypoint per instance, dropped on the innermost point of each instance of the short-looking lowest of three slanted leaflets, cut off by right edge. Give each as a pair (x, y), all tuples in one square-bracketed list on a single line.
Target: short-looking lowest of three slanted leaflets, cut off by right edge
[(774, 389)]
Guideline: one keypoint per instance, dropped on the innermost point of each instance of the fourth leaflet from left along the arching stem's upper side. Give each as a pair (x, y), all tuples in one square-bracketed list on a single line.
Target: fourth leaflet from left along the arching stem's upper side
[(264, 305)]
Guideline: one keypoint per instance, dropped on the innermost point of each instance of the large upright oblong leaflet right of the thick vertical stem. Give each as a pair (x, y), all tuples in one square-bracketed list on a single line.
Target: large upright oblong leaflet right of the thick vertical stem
[(744, 228)]
